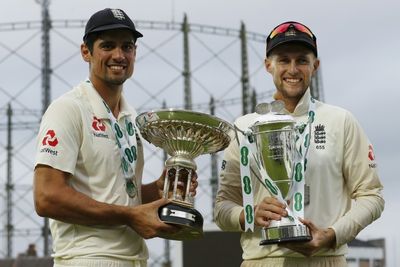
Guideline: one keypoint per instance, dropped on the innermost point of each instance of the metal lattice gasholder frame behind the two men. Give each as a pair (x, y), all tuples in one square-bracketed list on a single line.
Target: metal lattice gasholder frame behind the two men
[(181, 65)]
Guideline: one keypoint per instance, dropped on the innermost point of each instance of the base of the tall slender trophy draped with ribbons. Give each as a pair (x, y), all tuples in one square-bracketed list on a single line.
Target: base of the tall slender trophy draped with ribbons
[(285, 234)]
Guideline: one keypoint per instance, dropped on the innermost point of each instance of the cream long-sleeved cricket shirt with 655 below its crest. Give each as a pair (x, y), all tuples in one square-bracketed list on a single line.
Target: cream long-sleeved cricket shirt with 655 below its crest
[(340, 168)]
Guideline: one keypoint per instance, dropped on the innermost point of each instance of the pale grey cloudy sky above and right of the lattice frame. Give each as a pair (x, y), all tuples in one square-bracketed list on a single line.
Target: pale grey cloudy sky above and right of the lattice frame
[(358, 44)]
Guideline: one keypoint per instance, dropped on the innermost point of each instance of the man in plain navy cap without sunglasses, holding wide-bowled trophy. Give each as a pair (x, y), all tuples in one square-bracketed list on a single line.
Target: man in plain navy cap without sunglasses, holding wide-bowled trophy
[(89, 161)]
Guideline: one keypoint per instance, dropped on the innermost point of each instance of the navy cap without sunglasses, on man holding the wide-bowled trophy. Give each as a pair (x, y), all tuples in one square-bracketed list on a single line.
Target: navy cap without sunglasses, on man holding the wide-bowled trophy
[(110, 19)]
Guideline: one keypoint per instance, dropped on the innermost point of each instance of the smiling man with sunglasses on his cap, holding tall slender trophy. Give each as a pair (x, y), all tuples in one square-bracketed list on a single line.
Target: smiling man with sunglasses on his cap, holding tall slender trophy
[(342, 190)]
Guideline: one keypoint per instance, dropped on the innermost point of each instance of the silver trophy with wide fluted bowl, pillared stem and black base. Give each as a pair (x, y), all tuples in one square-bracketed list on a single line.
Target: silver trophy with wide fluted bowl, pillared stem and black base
[(184, 135)]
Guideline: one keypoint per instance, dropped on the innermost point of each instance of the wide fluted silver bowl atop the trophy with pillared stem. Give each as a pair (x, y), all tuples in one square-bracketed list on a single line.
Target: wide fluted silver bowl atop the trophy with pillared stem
[(185, 132)]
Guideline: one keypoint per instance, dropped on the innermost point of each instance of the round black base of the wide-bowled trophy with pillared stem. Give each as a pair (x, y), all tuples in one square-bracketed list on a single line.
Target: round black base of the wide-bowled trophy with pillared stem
[(188, 219)]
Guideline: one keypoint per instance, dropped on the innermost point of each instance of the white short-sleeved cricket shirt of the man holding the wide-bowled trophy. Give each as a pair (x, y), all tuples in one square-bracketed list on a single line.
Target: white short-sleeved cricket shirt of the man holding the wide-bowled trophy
[(75, 136)]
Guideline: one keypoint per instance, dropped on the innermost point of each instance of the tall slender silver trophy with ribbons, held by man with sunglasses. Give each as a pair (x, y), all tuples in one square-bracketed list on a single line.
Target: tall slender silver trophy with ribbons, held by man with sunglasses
[(272, 142)]
